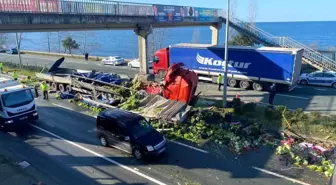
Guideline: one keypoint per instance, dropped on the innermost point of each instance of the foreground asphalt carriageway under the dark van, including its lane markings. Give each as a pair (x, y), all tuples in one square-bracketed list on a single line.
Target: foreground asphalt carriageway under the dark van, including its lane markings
[(63, 145)]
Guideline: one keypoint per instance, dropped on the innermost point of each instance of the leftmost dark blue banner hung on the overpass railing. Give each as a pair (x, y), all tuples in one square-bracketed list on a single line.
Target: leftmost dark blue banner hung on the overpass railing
[(165, 13)]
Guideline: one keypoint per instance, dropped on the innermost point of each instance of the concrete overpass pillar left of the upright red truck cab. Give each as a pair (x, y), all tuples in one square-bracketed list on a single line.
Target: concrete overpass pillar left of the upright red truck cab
[(143, 32)]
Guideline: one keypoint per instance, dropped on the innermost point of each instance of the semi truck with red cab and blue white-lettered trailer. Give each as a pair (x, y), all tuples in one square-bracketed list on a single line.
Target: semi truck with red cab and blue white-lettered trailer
[(248, 67)]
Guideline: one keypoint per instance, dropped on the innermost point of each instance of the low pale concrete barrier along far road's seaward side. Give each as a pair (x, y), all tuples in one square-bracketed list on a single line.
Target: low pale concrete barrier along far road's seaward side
[(91, 58)]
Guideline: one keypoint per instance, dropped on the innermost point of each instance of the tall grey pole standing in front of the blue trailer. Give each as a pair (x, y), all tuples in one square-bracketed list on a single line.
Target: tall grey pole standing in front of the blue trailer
[(226, 54)]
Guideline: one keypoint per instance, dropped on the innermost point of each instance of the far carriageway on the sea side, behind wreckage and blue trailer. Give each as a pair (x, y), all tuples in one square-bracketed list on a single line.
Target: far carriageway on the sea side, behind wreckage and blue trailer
[(309, 98)]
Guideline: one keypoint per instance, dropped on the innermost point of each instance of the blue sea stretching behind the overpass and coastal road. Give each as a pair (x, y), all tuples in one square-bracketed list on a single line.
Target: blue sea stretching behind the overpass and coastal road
[(124, 43)]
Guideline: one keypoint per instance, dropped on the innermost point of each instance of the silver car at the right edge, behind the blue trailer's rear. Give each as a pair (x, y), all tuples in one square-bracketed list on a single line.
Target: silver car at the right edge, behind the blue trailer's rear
[(319, 78)]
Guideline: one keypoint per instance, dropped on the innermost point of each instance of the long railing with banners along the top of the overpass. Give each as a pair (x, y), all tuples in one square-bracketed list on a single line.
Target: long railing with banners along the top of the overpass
[(106, 7)]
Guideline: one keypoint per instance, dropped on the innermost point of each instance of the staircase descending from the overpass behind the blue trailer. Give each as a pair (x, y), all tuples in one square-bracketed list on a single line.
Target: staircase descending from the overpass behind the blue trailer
[(310, 55)]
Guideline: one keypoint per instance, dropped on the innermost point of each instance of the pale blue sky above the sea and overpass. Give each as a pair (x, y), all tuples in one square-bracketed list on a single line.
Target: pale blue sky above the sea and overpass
[(267, 10)]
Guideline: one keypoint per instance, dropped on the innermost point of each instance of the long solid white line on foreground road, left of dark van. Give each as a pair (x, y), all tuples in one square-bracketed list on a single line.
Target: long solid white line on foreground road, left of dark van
[(101, 156)]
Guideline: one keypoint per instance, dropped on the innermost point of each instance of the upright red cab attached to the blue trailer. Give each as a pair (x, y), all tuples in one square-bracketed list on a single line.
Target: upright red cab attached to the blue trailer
[(161, 61)]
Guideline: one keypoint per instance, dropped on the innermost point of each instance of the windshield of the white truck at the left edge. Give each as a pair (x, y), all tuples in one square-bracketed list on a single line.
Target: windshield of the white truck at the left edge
[(18, 98)]
